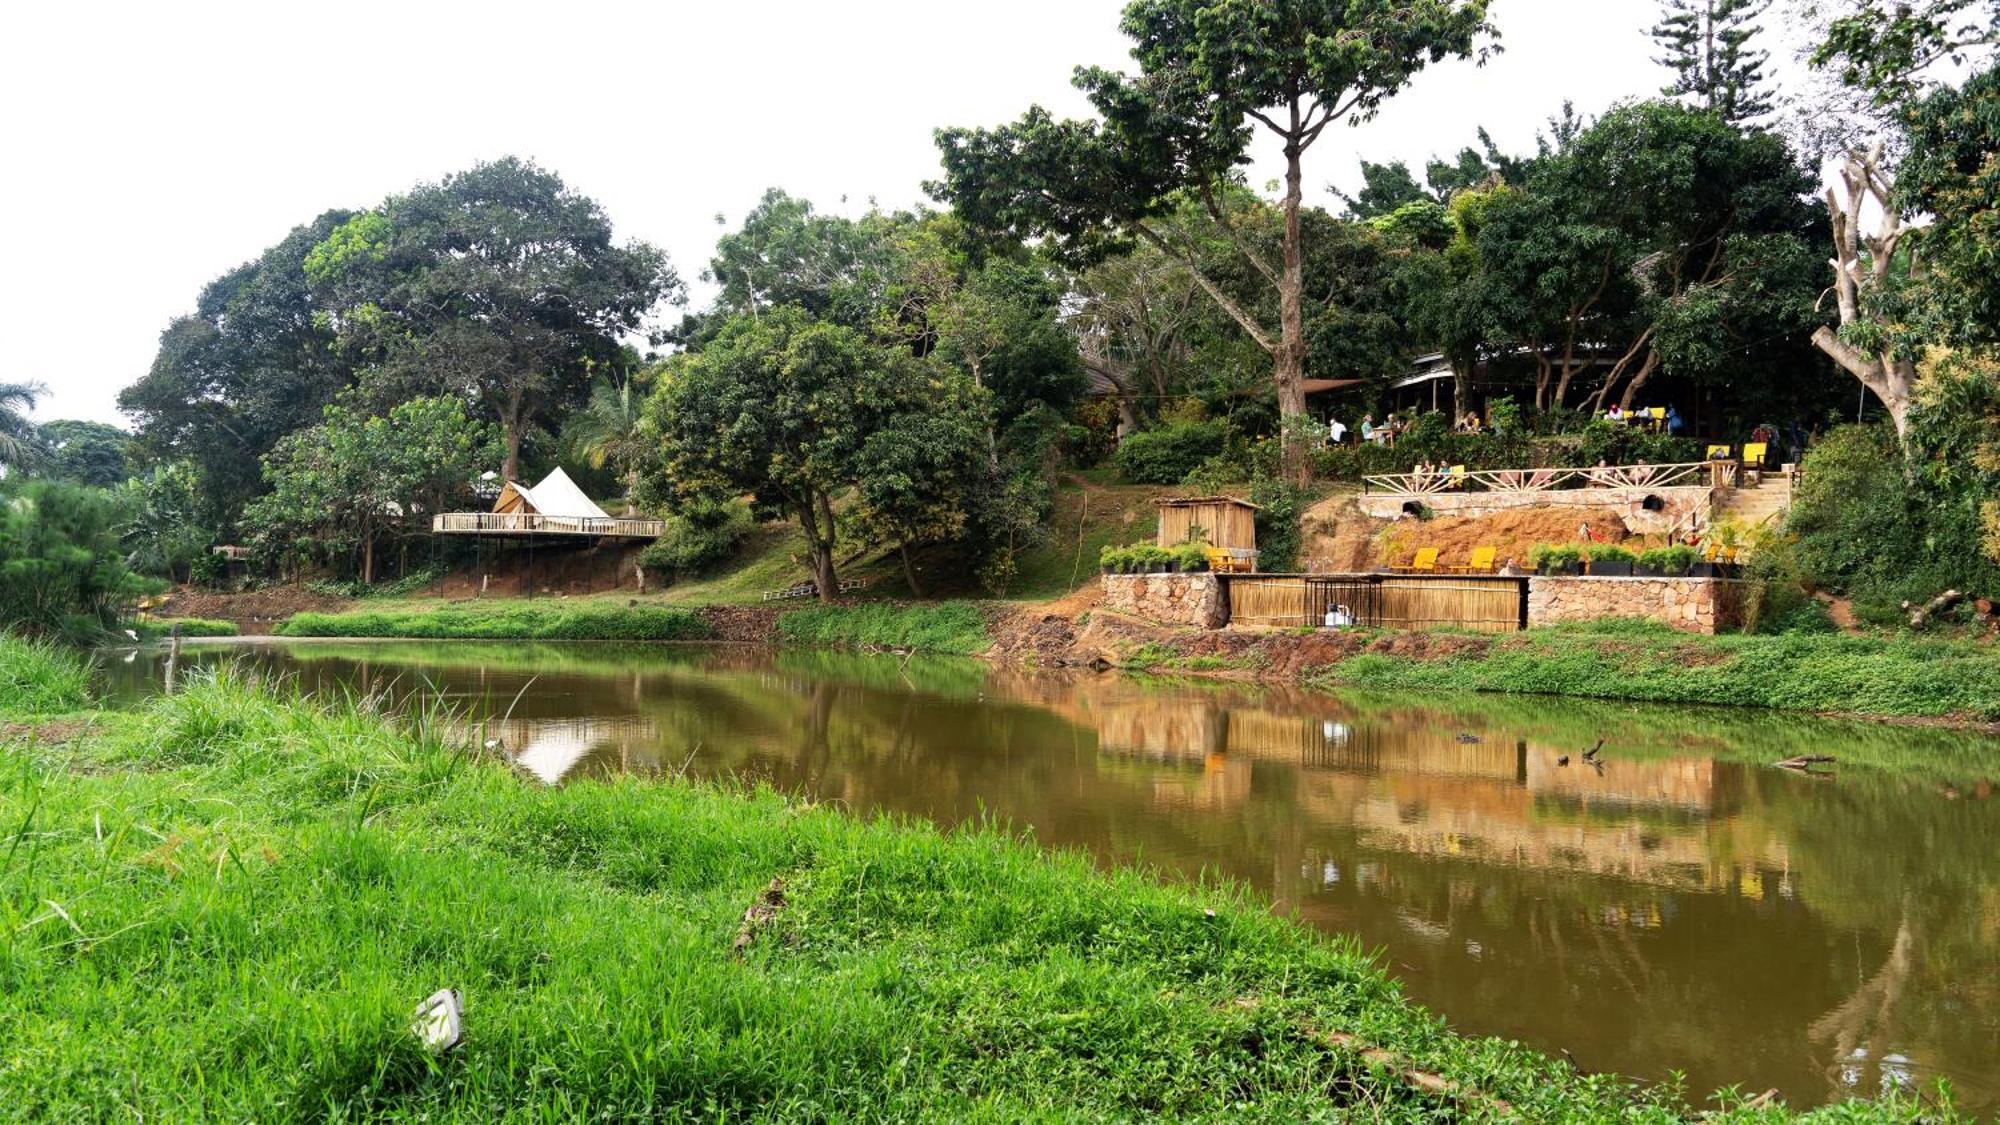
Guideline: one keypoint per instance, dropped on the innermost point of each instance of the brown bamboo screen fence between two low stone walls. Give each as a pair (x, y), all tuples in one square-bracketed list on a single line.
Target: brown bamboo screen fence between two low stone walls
[(1289, 602)]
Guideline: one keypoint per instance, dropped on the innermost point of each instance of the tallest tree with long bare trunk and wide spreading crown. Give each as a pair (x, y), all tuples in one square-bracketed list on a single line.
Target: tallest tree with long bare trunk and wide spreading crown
[(1211, 73)]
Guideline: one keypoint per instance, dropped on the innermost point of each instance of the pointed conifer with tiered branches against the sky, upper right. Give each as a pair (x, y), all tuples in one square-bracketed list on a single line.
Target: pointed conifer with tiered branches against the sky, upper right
[(1711, 47)]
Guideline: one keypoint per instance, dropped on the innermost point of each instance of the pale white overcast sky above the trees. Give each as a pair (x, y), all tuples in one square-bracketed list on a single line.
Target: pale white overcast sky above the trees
[(151, 147)]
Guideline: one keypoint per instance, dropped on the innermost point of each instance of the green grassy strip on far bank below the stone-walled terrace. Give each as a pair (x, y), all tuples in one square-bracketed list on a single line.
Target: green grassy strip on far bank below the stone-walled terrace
[(1859, 676)]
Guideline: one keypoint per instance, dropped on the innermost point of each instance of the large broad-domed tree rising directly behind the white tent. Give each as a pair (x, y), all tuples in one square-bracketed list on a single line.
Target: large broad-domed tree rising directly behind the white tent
[(499, 285)]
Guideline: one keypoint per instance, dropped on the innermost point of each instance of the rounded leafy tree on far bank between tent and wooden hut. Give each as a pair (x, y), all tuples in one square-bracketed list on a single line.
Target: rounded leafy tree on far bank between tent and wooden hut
[(803, 413)]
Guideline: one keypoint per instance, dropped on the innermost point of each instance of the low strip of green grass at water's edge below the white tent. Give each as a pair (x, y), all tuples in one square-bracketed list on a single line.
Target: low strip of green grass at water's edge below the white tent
[(509, 622)]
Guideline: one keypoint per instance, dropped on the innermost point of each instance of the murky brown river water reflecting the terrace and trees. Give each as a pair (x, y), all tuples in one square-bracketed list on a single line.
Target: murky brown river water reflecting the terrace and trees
[(1683, 908)]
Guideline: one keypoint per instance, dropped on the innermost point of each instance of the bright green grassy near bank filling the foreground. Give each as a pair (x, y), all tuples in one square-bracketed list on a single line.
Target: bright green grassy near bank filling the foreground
[(229, 904)]
